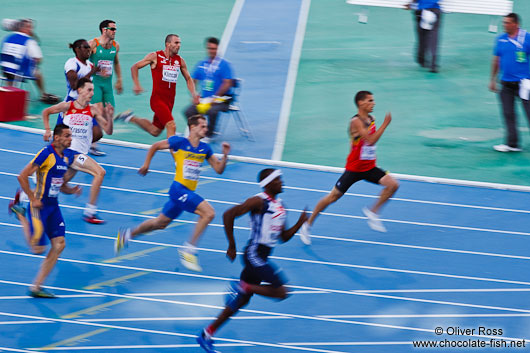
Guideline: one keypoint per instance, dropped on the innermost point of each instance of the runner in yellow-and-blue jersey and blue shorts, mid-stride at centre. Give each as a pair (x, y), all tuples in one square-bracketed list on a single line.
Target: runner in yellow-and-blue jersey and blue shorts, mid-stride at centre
[(189, 154)]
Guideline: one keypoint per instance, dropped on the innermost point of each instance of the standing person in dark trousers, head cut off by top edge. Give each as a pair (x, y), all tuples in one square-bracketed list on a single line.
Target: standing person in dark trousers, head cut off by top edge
[(427, 14)]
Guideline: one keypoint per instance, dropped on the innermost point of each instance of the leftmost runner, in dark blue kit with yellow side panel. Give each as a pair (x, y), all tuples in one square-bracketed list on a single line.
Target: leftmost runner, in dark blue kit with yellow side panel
[(44, 218)]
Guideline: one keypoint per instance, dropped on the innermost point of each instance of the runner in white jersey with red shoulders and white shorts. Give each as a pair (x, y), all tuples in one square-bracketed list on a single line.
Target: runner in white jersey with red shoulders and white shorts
[(79, 115)]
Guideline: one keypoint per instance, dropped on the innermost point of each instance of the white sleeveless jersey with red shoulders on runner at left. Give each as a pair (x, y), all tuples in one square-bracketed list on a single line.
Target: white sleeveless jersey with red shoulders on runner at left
[(80, 122)]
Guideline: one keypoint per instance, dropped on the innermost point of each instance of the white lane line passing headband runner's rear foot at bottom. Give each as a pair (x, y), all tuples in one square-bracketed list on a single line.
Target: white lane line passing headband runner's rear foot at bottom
[(254, 343)]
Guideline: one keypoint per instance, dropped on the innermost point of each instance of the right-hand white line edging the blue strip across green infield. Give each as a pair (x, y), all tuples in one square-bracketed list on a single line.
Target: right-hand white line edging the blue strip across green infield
[(285, 111)]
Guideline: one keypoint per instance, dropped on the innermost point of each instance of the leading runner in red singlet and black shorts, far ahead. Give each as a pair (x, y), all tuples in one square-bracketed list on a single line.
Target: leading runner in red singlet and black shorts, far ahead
[(360, 165)]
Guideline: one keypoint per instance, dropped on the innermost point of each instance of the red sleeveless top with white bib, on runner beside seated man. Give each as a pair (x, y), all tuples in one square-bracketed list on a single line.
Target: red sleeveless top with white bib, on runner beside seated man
[(165, 74)]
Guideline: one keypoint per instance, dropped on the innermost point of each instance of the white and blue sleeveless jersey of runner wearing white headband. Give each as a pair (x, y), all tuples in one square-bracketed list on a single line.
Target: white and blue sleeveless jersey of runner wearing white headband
[(267, 226)]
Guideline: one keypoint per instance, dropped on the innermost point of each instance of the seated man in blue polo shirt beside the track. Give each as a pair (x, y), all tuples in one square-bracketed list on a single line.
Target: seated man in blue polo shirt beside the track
[(217, 79)]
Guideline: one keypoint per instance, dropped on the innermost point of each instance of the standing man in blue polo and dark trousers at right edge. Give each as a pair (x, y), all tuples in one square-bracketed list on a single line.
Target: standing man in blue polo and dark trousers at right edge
[(511, 55)]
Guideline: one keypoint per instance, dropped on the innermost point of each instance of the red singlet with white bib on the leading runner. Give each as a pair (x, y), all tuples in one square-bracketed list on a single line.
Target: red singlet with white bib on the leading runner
[(362, 155)]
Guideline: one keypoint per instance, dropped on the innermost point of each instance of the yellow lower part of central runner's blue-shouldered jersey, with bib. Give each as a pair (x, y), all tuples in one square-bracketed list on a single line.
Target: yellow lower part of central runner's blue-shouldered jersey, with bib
[(187, 167)]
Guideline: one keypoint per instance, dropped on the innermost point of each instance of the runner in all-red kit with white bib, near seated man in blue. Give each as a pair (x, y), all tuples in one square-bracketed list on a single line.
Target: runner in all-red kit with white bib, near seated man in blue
[(166, 66)]
